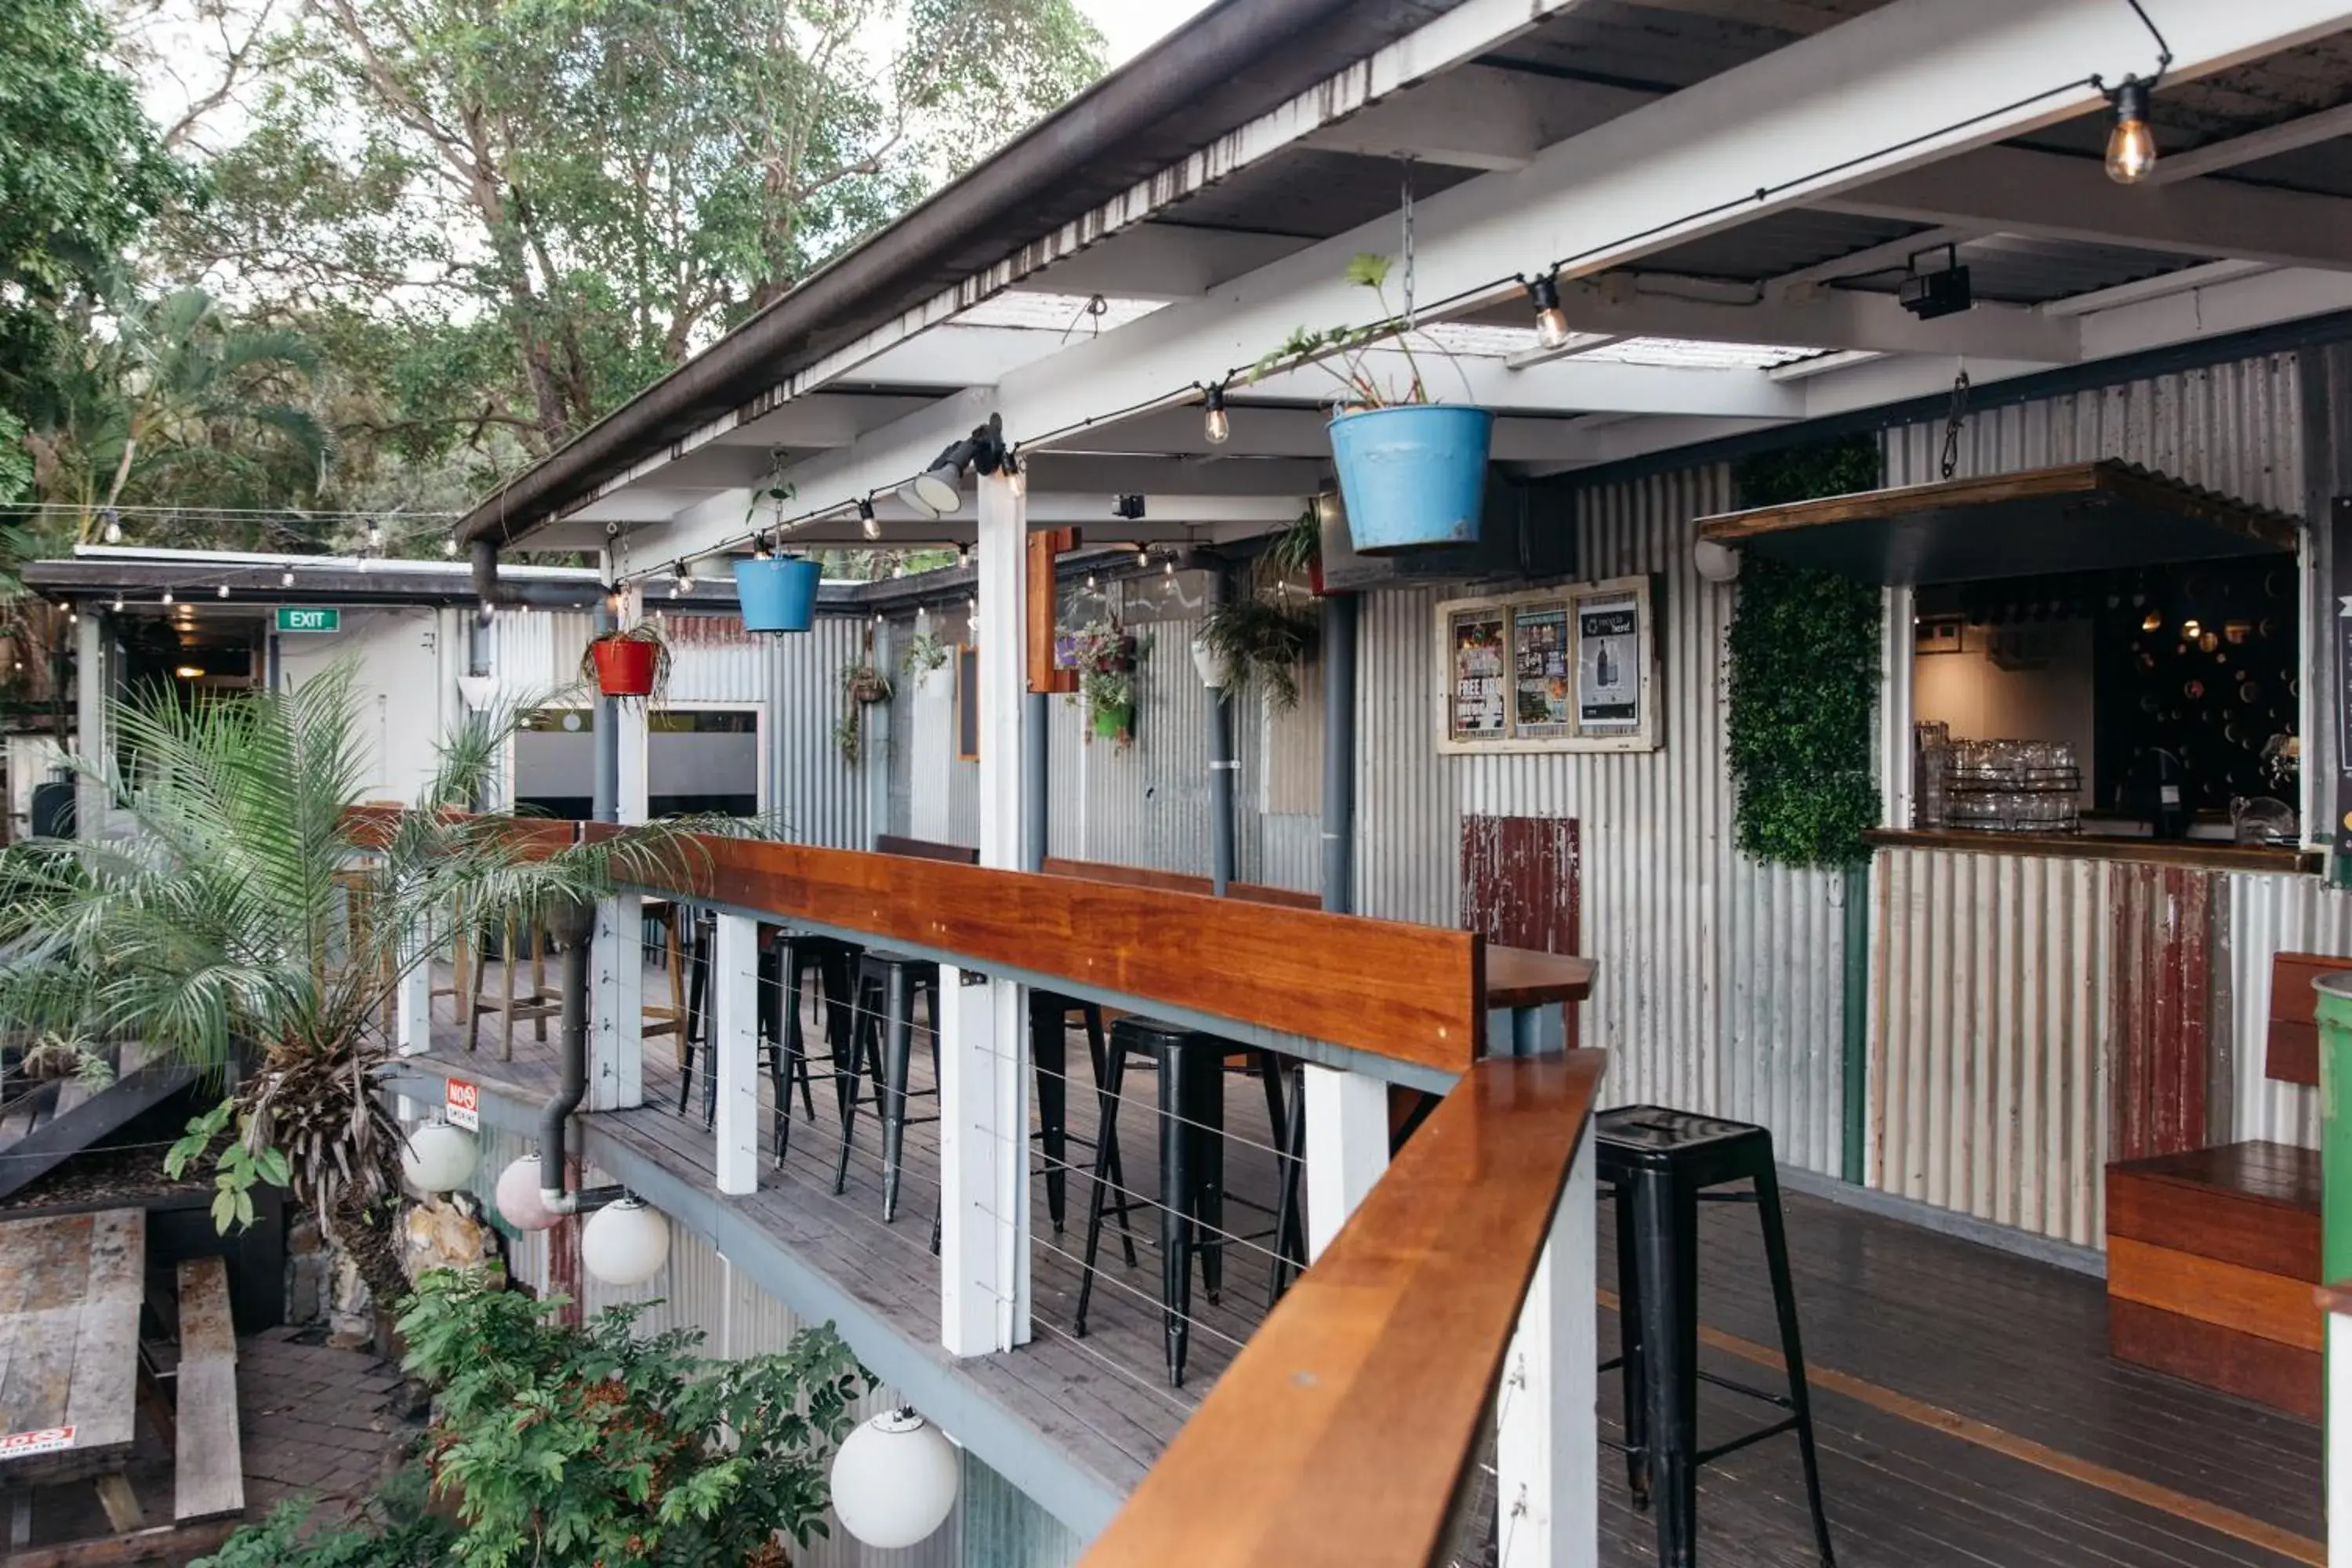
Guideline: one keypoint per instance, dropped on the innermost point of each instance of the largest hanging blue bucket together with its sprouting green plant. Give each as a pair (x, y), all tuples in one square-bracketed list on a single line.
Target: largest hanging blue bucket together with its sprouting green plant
[(1412, 471)]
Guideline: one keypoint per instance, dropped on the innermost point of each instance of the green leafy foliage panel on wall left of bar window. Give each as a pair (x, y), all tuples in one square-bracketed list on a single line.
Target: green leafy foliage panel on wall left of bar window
[(1805, 678)]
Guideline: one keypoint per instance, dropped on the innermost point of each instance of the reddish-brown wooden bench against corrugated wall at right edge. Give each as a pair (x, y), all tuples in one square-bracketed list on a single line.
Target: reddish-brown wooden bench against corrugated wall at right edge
[(2212, 1257)]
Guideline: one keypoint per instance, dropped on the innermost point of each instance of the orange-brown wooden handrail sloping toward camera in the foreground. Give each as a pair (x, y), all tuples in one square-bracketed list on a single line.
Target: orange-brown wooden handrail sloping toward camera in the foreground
[(1349, 1423)]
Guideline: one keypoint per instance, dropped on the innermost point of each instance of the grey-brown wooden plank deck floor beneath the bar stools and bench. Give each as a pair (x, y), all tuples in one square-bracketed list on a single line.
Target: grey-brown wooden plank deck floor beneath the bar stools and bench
[(1965, 1402)]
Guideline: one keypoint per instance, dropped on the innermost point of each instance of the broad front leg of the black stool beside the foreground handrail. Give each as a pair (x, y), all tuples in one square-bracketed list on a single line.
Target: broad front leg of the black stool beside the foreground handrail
[(1669, 1268)]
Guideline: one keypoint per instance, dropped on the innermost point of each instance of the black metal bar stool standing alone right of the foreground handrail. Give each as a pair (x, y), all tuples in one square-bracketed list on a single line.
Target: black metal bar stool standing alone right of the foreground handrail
[(1662, 1165)]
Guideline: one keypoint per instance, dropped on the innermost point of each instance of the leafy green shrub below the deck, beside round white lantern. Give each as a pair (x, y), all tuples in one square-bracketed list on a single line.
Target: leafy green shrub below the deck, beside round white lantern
[(577, 1447)]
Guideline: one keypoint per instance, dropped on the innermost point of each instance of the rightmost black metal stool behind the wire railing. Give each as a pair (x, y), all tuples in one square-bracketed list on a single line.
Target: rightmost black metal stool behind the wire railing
[(1191, 1170)]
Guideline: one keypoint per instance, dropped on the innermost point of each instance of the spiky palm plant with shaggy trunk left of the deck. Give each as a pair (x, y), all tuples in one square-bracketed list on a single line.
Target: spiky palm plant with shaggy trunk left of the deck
[(243, 927)]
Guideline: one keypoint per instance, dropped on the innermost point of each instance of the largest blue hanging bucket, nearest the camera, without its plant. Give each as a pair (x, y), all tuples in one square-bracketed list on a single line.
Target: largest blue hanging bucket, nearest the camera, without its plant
[(1415, 476)]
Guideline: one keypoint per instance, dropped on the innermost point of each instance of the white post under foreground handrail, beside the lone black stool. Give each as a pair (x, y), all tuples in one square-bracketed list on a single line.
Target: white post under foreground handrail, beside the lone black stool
[(1546, 1421)]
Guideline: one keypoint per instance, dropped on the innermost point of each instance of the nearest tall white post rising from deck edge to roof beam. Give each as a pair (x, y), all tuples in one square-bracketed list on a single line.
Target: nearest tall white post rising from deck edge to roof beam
[(984, 1024)]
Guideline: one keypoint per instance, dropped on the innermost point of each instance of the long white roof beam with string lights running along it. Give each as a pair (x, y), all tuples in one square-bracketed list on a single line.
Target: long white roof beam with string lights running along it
[(1864, 102)]
